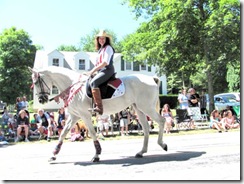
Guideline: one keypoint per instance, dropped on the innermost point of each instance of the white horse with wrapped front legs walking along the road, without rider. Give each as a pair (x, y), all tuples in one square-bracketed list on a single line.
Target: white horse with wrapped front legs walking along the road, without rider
[(141, 91)]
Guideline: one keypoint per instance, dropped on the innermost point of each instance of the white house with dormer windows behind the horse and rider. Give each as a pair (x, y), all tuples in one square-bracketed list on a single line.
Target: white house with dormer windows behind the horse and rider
[(83, 61)]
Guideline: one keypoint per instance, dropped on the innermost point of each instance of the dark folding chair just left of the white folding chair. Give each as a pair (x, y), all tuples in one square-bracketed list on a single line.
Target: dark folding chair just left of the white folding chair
[(183, 120)]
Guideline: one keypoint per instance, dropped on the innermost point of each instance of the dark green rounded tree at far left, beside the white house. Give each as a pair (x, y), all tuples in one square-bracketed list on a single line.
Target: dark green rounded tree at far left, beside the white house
[(16, 55)]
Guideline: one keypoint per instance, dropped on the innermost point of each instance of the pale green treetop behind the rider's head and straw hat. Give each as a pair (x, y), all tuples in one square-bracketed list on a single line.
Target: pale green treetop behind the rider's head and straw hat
[(87, 43)]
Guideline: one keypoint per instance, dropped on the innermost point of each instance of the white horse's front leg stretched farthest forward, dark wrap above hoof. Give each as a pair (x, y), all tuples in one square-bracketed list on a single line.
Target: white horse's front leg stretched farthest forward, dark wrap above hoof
[(69, 124)]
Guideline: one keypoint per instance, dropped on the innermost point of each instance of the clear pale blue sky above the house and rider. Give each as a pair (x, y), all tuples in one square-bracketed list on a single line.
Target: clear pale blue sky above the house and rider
[(51, 23)]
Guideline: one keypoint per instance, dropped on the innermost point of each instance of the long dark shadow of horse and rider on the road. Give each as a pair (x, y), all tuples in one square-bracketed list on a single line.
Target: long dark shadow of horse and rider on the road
[(148, 159)]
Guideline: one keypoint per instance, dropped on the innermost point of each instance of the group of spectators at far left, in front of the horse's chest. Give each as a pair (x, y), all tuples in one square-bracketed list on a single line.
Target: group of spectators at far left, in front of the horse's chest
[(21, 125)]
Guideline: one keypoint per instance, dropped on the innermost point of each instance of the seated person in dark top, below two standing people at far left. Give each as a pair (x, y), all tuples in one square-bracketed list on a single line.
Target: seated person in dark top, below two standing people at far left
[(23, 124)]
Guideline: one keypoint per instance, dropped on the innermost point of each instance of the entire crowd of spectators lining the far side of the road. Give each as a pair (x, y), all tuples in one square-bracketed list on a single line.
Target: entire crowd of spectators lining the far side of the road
[(44, 124)]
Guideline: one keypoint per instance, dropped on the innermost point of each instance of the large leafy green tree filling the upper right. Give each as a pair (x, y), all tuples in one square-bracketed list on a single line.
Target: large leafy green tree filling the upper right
[(189, 36)]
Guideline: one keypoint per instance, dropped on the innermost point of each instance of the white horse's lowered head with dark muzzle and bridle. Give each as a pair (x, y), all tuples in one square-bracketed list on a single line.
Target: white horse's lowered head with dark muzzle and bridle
[(43, 91)]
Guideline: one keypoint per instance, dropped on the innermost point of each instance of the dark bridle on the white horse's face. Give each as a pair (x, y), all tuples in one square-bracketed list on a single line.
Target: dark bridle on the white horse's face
[(43, 95)]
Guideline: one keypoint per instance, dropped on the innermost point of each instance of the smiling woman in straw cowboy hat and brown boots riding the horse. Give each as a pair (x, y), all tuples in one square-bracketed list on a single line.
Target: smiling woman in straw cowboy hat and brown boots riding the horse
[(104, 68)]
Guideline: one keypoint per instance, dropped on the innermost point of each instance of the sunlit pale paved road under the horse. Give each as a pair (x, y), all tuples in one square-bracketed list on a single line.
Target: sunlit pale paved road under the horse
[(212, 156)]
